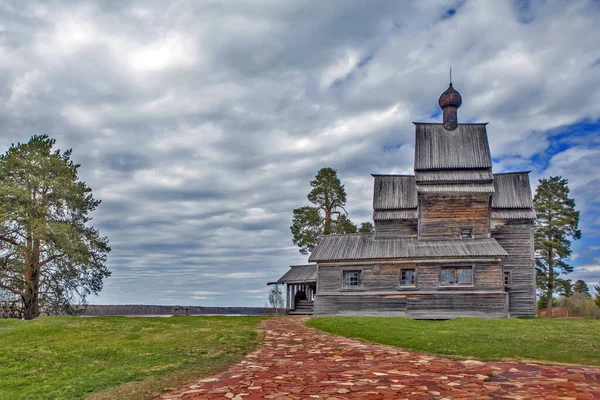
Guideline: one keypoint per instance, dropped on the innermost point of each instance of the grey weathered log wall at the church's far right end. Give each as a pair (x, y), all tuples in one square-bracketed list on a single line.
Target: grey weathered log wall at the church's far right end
[(516, 237)]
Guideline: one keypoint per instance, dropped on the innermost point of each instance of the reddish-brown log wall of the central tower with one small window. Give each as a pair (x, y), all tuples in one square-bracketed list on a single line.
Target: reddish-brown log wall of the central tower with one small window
[(443, 215)]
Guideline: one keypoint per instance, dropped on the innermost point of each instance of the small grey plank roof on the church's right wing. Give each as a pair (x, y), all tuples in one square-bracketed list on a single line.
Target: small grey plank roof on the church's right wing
[(512, 190)]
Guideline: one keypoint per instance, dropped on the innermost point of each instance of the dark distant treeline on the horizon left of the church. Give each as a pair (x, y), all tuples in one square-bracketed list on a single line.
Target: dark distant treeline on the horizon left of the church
[(141, 309)]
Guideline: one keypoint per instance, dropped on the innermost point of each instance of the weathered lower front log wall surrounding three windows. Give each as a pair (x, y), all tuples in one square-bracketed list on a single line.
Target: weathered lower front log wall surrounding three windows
[(380, 293)]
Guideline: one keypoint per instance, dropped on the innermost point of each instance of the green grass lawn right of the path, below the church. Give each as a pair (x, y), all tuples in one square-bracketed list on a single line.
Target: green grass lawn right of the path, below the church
[(567, 340)]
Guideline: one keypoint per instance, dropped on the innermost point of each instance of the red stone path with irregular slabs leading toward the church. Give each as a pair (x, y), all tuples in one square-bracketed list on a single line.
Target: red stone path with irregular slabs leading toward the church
[(297, 362)]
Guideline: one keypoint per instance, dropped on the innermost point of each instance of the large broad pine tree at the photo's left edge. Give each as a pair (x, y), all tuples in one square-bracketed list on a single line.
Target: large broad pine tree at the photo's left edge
[(49, 255)]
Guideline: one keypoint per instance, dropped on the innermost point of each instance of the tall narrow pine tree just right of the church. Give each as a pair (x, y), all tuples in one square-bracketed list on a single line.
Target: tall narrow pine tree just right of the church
[(556, 224)]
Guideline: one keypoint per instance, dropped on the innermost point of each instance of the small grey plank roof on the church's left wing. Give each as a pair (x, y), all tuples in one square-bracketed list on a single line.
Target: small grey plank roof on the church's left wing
[(394, 192)]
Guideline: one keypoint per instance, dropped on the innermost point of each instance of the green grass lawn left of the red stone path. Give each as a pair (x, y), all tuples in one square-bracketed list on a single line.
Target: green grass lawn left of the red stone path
[(116, 357)]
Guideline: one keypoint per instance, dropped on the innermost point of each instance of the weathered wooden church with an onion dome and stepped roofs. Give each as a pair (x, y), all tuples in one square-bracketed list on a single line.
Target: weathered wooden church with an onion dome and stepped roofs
[(452, 240)]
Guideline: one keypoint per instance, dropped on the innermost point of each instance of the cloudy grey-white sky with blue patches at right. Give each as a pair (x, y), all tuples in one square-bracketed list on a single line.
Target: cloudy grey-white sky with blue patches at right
[(199, 124)]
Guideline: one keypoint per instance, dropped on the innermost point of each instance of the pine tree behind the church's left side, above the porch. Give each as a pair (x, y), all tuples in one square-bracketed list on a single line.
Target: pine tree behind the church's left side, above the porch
[(327, 216)]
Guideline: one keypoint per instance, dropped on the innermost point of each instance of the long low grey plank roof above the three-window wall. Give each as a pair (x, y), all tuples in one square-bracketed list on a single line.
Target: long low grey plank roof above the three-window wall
[(366, 247)]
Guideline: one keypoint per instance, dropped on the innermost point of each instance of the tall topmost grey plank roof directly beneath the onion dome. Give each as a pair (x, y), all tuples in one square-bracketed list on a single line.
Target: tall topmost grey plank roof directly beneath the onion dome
[(466, 147)]
